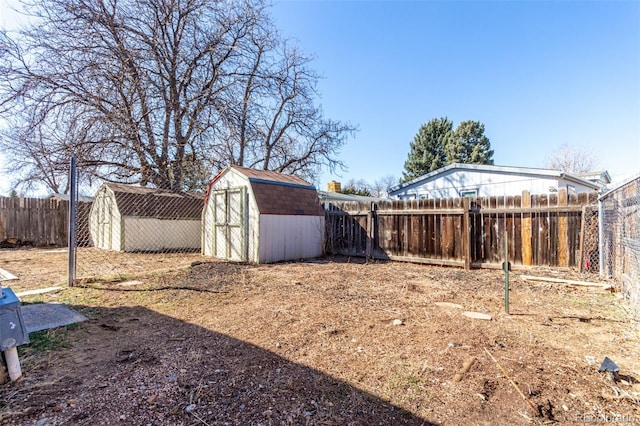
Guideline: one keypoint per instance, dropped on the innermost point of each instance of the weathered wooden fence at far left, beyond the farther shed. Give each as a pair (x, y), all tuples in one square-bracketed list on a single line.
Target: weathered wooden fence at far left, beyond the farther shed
[(39, 221)]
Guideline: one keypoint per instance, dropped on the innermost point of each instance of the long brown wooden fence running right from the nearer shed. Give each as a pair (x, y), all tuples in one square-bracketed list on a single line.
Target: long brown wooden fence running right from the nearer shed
[(539, 230)]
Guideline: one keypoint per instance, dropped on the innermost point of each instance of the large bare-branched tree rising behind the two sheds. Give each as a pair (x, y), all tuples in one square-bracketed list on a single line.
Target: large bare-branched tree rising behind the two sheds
[(159, 92)]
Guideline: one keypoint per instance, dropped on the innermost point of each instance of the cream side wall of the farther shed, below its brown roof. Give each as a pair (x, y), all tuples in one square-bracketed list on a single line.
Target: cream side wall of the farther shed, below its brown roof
[(151, 234)]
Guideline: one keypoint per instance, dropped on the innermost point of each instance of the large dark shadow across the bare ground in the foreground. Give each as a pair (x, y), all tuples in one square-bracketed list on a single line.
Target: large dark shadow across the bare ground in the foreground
[(135, 366)]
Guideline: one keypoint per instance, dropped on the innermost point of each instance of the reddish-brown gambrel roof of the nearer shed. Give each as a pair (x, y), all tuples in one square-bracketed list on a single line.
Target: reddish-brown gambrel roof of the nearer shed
[(278, 193)]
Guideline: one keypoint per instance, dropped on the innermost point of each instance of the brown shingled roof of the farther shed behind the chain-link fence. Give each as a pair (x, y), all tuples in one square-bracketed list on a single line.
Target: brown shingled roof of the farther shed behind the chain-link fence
[(157, 203)]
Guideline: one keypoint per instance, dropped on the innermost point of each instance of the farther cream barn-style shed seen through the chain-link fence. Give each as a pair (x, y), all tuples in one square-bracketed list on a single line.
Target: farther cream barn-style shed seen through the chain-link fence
[(132, 218)]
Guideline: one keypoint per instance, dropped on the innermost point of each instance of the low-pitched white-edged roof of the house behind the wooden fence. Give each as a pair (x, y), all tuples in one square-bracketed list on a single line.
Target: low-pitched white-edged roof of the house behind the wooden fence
[(570, 177)]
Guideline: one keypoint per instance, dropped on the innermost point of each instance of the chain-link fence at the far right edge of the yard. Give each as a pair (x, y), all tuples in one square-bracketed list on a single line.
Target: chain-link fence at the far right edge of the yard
[(620, 243)]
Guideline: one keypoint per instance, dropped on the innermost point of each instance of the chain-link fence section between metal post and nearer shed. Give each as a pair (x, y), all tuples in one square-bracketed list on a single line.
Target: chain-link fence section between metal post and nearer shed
[(127, 232)]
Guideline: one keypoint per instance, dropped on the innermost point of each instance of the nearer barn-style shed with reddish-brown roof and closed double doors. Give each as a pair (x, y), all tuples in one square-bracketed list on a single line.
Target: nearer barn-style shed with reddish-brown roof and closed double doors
[(261, 216)]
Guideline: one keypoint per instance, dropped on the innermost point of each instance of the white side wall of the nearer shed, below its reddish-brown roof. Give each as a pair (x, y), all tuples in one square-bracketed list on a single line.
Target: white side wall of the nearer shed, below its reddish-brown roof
[(290, 237)]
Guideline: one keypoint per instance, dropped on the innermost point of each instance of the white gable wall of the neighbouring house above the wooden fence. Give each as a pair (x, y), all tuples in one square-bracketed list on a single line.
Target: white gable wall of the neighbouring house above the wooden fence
[(452, 183)]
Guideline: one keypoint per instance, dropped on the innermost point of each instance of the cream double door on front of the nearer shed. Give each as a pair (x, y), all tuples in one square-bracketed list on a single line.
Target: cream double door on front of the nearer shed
[(229, 224)]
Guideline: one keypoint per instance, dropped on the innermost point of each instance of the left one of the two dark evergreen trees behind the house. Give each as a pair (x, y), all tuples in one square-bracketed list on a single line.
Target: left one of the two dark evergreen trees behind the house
[(428, 149)]
